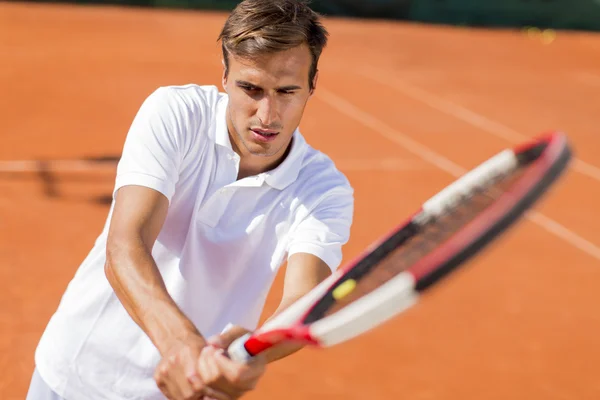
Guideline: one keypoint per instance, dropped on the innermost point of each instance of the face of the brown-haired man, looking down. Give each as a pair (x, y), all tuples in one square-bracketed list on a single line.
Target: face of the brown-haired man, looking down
[(267, 97)]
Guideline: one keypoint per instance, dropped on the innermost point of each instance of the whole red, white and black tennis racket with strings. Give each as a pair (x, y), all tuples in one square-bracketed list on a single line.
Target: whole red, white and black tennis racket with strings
[(449, 229)]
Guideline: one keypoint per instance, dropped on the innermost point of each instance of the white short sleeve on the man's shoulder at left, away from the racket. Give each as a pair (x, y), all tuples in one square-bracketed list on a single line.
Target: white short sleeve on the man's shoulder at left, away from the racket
[(152, 153)]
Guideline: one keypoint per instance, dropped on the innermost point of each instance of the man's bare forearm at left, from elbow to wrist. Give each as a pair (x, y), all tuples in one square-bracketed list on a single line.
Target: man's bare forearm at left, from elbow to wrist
[(138, 284)]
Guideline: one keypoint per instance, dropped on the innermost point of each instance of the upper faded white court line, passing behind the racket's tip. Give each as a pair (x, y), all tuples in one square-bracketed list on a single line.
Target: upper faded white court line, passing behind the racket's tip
[(471, 117)]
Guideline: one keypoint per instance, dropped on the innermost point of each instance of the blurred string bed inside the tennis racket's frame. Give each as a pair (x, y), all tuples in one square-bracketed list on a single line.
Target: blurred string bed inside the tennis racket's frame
[(425, 238)]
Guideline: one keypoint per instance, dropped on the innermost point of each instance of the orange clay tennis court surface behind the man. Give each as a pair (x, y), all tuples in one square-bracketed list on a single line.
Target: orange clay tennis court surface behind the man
[(402, 109)]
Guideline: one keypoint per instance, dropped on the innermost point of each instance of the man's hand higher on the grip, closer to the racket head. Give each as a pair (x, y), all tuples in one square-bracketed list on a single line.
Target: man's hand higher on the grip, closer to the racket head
[(224, 375)]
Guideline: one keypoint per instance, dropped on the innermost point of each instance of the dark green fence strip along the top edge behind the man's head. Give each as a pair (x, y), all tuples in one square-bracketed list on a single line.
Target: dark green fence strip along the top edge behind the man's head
[(562, 14)]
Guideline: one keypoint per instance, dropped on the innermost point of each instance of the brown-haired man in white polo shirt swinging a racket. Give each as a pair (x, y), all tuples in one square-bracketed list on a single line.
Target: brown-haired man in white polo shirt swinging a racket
[(214, 191)]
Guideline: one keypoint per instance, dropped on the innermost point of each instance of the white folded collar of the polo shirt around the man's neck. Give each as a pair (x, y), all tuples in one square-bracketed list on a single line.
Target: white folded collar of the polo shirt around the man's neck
[(285, 173)]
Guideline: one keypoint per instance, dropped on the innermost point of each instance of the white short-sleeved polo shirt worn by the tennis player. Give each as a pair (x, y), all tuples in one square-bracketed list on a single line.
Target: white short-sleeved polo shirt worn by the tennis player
[(219, 250)]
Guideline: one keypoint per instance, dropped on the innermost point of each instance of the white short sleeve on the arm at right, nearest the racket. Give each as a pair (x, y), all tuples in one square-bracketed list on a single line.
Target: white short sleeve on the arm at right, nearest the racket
[(326, 229)]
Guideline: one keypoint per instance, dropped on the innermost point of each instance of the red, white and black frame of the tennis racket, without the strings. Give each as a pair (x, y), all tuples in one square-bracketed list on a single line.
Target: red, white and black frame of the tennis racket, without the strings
[(402, 291)]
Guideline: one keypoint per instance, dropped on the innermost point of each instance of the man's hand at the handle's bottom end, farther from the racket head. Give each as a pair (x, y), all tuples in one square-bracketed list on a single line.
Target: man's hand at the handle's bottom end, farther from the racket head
[(176, 374)]
